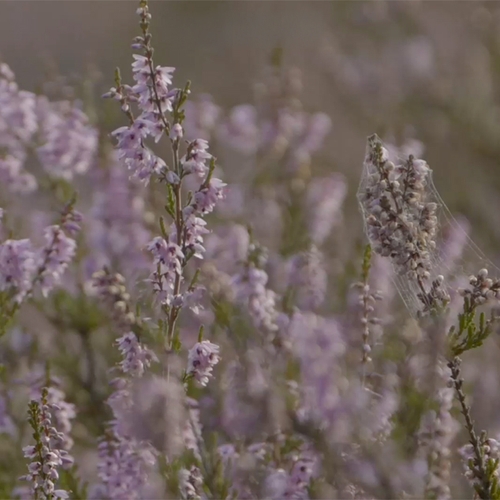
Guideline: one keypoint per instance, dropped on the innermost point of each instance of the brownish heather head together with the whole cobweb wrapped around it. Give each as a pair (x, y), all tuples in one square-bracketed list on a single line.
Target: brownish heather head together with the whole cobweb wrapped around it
[(406, 220)]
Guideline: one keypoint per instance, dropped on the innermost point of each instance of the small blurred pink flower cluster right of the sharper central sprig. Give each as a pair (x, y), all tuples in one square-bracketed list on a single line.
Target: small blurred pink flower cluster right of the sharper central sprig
[(308, 277)]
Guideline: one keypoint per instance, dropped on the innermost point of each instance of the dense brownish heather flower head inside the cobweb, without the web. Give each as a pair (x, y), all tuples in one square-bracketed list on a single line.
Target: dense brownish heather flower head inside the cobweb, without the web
[(400, 222)]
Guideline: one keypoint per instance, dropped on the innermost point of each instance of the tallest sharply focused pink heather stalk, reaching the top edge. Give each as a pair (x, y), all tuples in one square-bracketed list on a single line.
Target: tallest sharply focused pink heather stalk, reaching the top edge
[(161, 113)]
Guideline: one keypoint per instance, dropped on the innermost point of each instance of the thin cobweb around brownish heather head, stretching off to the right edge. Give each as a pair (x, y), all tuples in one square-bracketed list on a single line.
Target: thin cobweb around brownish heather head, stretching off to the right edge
[(451, 256)]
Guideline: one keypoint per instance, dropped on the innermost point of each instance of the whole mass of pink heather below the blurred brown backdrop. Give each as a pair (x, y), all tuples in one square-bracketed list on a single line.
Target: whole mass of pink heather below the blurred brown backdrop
[(169, 334)]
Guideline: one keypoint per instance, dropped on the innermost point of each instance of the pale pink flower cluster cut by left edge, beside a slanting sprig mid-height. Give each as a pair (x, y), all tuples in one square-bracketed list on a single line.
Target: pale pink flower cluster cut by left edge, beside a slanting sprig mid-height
[(17, 266)]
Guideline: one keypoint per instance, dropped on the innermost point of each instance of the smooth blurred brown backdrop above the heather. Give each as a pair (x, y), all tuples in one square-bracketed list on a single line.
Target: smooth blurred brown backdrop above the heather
[(407, 70)]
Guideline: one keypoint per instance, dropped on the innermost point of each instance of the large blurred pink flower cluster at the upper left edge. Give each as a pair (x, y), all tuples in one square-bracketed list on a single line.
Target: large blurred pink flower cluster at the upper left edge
[(64, 141)]
